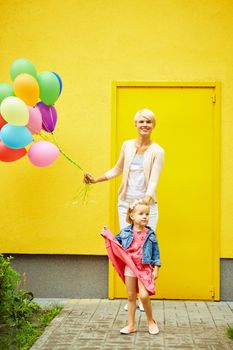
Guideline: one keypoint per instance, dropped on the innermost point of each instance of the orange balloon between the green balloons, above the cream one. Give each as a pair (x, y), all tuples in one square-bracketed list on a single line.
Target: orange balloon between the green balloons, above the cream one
[(27, 88)]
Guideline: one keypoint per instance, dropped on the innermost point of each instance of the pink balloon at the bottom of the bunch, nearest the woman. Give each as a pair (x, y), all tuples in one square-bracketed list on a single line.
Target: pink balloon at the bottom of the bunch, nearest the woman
[(43, 153)]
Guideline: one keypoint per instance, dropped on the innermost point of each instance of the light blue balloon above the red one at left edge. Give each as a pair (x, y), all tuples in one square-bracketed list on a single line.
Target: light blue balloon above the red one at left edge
[(15, 136)]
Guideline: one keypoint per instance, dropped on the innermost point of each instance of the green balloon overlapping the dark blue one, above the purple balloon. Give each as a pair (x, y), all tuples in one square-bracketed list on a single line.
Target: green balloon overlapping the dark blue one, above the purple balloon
[(49, 87)]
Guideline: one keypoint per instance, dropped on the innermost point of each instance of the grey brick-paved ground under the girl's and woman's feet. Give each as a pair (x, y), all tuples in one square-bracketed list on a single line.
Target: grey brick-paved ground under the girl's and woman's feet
[(95, 324)]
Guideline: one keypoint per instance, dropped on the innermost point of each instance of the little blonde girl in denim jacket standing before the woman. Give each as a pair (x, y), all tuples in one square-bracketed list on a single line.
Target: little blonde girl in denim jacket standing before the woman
[(140, 243)]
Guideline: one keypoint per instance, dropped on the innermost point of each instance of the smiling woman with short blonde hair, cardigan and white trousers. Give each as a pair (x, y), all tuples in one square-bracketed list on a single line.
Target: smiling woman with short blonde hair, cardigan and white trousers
[(140, 162)]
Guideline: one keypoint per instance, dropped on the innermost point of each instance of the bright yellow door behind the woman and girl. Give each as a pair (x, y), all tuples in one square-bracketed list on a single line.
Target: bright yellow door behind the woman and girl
[(188, 229)]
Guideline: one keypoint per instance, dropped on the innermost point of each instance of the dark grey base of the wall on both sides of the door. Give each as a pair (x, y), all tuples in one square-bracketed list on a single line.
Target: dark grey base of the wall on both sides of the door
[(84, 276)]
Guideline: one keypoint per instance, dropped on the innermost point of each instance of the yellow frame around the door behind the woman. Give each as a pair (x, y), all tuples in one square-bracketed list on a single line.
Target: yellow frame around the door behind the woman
[(216, 168)]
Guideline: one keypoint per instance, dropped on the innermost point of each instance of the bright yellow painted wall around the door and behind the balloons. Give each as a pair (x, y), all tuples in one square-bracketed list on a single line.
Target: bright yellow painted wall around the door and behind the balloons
[(90, 43)]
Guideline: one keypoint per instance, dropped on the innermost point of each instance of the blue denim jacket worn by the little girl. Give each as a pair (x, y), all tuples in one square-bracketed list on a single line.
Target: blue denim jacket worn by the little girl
[(150, 249)]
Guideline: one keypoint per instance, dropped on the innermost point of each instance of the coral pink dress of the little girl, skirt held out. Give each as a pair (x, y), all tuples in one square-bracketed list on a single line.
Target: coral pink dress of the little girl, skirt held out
[(131, 257)]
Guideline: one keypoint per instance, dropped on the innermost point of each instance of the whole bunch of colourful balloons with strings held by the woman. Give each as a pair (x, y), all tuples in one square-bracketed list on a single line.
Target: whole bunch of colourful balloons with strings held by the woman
[(27, 111)]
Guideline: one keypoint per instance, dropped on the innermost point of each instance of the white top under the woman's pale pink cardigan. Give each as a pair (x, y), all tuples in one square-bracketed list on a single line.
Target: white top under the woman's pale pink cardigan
[(136, 180)]
